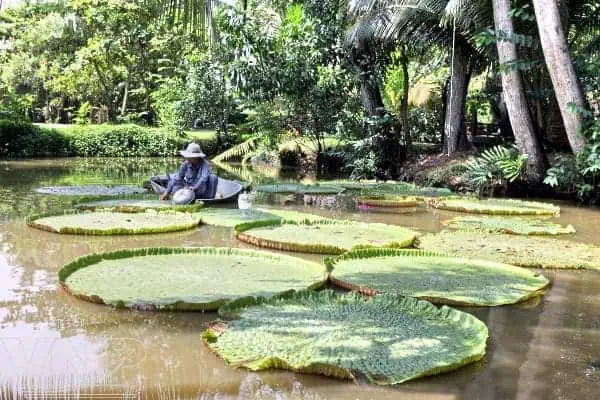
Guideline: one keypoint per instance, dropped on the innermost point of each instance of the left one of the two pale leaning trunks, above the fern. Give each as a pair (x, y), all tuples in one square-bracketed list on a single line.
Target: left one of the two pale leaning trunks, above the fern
[(514, 96)]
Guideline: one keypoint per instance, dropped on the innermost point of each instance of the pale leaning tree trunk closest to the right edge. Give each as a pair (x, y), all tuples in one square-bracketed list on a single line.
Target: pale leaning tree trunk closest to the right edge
[(556, 53)]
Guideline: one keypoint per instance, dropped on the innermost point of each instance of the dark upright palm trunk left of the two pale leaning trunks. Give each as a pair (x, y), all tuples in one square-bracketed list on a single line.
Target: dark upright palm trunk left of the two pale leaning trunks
[(457, 99)]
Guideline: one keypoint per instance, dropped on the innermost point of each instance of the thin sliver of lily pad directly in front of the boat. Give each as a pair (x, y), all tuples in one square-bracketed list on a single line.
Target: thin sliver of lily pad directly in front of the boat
[(133, 206)]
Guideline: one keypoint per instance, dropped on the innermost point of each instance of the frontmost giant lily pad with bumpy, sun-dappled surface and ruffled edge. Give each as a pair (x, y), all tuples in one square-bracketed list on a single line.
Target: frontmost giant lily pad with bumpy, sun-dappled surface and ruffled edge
[(387, 340)]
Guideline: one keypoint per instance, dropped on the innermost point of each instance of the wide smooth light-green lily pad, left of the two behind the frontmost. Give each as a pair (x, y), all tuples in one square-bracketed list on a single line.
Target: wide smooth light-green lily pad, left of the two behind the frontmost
[(185, 279)]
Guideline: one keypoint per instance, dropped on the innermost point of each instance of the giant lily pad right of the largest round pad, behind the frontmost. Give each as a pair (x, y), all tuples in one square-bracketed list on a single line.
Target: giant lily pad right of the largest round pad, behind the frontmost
[(435, 277)]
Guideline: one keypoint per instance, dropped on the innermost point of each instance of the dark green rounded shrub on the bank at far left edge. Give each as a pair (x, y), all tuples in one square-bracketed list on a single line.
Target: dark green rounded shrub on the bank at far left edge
[(22, 139)]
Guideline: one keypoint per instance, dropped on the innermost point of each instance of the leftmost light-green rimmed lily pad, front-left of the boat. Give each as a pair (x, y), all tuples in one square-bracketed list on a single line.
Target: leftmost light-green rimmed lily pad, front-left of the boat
[(115, 223)]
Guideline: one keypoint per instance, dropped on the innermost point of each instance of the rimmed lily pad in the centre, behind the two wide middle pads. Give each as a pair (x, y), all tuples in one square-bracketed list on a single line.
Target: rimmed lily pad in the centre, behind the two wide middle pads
[(323, 237)]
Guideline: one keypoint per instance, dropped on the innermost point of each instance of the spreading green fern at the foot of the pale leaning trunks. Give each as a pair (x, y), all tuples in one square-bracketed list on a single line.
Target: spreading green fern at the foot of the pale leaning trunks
[(495, 167)]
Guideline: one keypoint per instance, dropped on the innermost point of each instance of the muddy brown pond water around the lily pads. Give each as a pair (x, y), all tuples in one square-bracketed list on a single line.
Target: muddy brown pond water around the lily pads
[(52, 345)]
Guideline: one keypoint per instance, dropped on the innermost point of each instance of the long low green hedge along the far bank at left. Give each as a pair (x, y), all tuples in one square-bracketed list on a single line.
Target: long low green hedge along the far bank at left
[(24, 140)]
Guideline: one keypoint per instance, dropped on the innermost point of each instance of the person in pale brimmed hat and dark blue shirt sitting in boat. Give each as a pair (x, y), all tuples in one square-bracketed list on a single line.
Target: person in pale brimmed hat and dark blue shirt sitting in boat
[(194, 173)]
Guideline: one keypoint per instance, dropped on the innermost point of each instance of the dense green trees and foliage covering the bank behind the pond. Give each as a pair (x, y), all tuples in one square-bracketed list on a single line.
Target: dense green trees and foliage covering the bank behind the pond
[(361, 85)]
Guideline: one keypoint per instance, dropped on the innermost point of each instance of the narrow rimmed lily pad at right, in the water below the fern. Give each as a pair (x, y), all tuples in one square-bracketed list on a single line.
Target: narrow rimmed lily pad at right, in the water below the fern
[(496, 206)]
